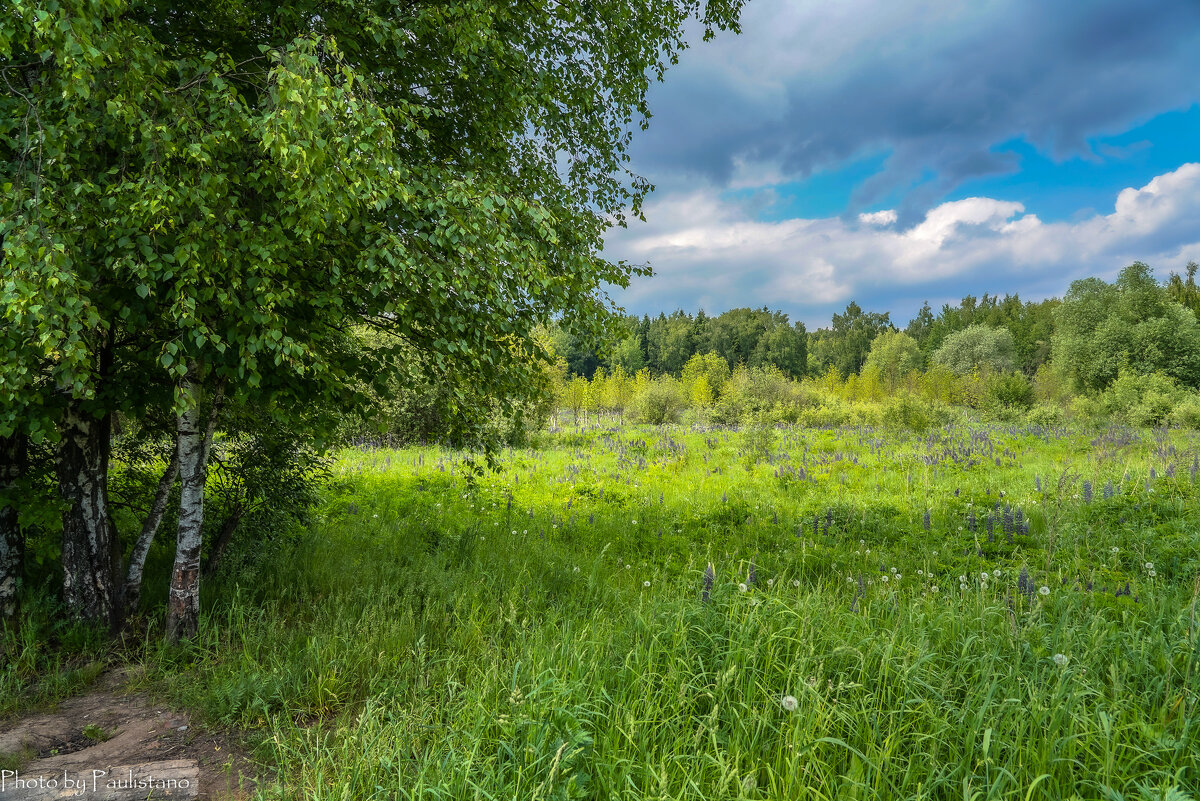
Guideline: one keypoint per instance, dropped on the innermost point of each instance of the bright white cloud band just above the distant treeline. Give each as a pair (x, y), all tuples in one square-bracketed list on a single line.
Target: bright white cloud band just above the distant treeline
[(711, 252)]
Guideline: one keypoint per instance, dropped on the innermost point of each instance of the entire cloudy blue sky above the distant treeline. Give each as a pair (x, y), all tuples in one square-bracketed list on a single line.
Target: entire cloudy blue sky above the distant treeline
[(899, 152)]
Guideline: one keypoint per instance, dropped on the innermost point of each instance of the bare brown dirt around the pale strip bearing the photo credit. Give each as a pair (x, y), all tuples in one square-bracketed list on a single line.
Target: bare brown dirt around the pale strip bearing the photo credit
[(107, 728)]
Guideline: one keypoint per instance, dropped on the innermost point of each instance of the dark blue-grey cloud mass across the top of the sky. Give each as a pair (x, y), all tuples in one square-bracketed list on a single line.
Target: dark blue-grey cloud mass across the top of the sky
[(811, 86)]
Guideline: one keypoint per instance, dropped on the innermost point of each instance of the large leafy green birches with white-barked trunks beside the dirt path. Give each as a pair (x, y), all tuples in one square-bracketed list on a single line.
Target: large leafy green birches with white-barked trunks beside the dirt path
[(205, 201)]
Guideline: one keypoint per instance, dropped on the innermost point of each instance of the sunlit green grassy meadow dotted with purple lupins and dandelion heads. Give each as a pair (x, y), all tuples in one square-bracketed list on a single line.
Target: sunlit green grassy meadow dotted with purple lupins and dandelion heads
[(974, 612)]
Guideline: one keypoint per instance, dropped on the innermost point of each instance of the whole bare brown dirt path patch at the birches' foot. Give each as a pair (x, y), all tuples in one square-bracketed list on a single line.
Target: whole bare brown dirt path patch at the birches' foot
[(103, 736)]
